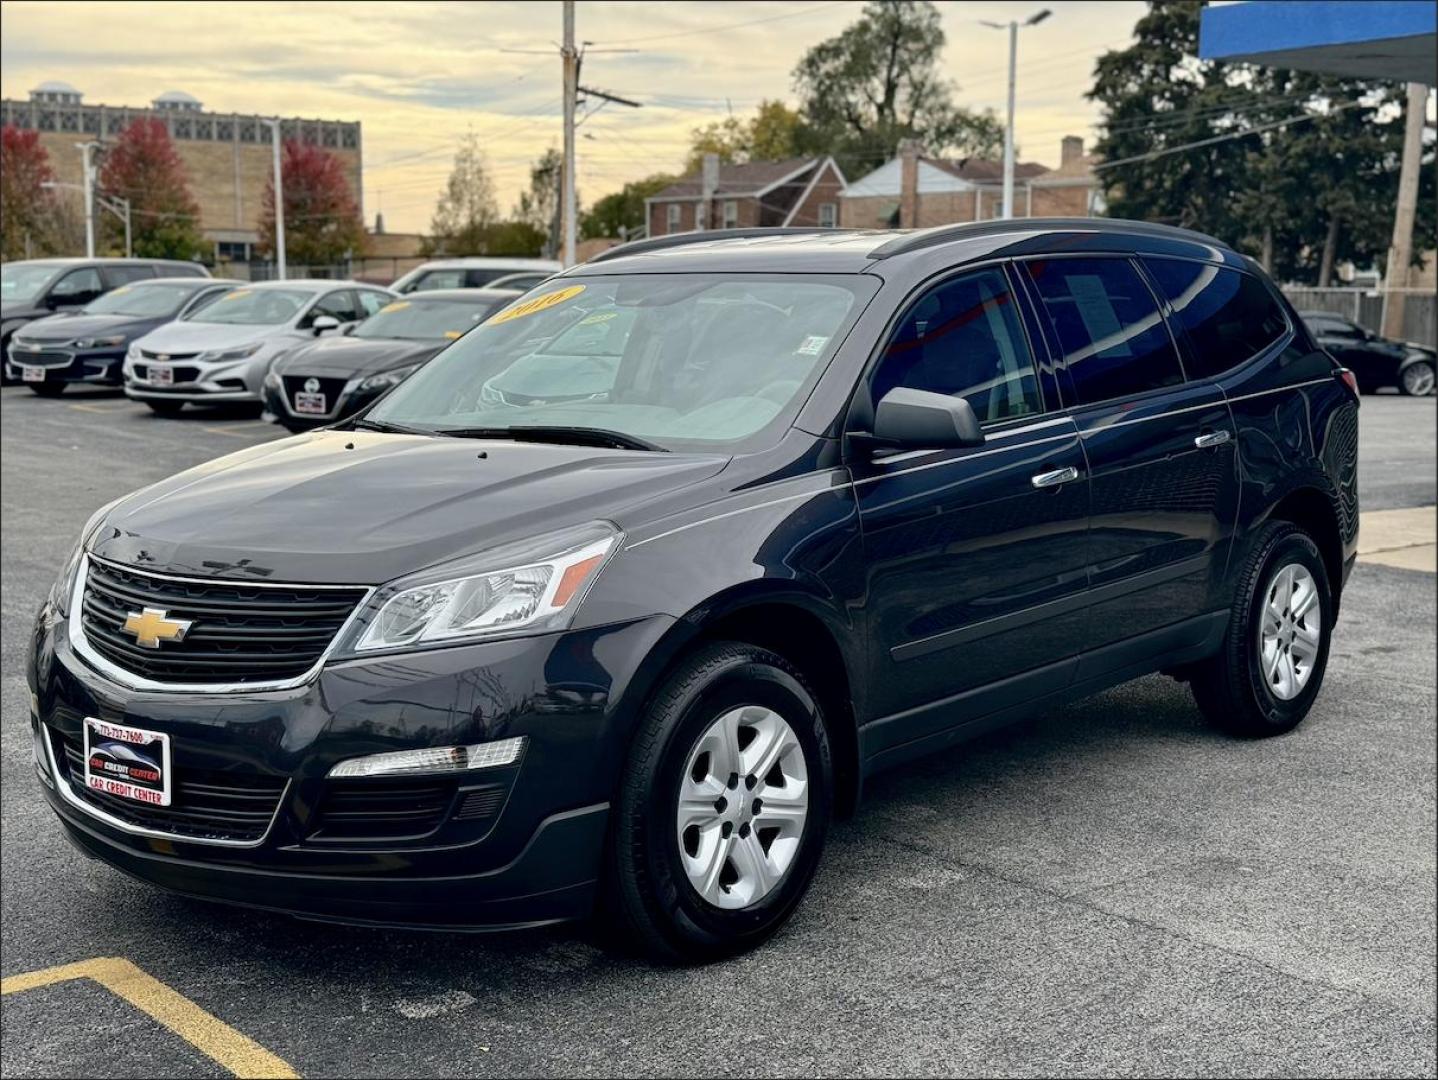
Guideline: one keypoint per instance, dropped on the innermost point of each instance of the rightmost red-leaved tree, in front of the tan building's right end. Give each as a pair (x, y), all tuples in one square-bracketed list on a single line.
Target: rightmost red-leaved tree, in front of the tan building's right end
[(321, 216)]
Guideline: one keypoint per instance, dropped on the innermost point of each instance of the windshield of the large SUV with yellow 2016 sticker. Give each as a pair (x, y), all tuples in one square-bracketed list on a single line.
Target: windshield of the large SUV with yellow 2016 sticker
[(684, 362)]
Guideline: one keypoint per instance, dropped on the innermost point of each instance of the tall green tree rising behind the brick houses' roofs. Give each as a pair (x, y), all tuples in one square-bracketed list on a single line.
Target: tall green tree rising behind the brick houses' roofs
[(881, 81)]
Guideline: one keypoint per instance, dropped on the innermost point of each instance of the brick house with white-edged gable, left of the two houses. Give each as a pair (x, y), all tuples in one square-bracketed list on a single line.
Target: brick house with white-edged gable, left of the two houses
[(797, 192)]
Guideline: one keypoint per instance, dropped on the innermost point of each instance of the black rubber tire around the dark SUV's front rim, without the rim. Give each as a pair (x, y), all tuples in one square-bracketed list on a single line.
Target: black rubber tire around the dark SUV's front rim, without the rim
[(649, 898)]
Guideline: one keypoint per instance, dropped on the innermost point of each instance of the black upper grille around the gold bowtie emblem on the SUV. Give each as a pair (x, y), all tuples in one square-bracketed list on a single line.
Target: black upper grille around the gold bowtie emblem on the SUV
[(239, 633)]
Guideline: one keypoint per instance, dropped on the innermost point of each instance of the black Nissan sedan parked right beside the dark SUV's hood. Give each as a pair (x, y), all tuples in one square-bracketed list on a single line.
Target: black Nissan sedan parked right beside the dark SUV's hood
[(336, 377)]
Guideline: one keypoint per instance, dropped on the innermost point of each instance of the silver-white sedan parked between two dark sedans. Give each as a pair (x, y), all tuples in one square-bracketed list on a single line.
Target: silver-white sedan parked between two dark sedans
[(222, 353)]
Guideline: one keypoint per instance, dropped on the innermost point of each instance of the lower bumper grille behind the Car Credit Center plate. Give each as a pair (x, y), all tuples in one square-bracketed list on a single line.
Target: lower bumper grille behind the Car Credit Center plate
[(206, 805)]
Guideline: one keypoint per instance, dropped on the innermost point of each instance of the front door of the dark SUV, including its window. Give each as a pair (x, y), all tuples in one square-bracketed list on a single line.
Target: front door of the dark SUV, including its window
[(974, 557)]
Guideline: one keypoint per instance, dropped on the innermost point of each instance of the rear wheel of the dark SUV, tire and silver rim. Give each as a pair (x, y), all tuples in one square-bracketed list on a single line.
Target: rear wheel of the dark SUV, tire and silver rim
[(1265, 679)]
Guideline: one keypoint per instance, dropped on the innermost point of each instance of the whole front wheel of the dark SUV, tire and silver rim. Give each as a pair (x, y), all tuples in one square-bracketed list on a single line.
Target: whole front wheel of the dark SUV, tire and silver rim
[(724, 807)]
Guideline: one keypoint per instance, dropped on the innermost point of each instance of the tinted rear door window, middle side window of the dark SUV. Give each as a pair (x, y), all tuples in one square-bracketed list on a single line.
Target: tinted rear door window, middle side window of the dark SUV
[(1109, 330)]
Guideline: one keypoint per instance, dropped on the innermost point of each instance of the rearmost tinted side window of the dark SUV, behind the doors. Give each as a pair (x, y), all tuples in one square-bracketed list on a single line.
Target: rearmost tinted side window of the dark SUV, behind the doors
[(1230, 317)]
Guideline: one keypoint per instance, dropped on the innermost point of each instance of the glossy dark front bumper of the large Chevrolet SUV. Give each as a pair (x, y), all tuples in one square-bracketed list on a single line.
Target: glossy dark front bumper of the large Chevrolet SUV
[(531, 858)]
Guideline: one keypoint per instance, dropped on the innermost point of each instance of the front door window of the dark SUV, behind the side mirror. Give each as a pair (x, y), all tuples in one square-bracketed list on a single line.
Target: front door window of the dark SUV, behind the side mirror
[(964, 340)]
